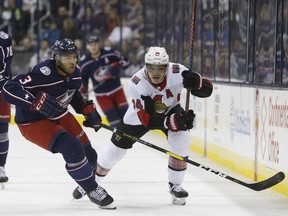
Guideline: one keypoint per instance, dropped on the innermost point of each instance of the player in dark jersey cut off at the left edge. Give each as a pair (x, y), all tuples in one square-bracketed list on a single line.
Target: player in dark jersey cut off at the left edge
[(6, 55)]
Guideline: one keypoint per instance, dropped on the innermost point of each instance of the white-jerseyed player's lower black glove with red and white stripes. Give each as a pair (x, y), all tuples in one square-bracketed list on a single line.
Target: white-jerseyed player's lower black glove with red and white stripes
[(176, 122)]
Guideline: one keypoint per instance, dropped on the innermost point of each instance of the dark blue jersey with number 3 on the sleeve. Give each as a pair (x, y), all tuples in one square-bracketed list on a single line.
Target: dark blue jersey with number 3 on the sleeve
[(22, 90)]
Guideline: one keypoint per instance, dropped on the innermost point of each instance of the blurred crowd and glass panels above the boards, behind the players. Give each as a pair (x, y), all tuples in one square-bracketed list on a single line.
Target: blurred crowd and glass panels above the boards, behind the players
[(236, 41)]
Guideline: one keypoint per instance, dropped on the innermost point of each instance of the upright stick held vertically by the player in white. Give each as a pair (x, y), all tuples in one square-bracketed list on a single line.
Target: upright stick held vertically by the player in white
[(191, 43)]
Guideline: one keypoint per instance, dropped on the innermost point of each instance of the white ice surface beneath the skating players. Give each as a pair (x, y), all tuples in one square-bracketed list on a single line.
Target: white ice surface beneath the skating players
[(39, 185)]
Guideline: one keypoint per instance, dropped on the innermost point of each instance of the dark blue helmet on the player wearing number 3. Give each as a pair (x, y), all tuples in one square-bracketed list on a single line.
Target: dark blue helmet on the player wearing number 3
[(64, 46)]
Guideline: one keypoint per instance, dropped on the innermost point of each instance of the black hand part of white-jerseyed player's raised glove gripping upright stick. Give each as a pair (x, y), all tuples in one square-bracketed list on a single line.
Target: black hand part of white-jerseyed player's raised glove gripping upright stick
[(191, 80)]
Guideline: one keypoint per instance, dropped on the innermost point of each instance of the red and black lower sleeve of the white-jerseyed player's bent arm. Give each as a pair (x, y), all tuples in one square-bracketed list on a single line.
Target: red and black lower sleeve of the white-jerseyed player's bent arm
[(154, 121)]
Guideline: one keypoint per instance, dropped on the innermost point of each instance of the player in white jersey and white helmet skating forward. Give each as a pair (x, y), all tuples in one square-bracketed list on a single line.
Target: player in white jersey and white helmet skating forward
[(155, 93)]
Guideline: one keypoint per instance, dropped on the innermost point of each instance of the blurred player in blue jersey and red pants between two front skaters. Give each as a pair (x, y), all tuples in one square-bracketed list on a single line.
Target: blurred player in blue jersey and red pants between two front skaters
[(103, 66)]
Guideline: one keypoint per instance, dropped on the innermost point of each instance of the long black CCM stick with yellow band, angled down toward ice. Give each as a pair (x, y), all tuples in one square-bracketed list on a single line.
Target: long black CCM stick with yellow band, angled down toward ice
[(258, 186)]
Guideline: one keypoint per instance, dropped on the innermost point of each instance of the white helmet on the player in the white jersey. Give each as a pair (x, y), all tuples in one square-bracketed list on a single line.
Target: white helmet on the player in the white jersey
[(157, 56)]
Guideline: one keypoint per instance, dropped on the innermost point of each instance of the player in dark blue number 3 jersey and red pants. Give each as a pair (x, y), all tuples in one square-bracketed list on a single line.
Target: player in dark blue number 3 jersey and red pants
[(41, 98)]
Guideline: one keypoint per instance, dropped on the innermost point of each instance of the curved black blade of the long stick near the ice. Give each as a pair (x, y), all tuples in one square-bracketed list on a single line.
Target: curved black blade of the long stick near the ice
[(270, 182)]
